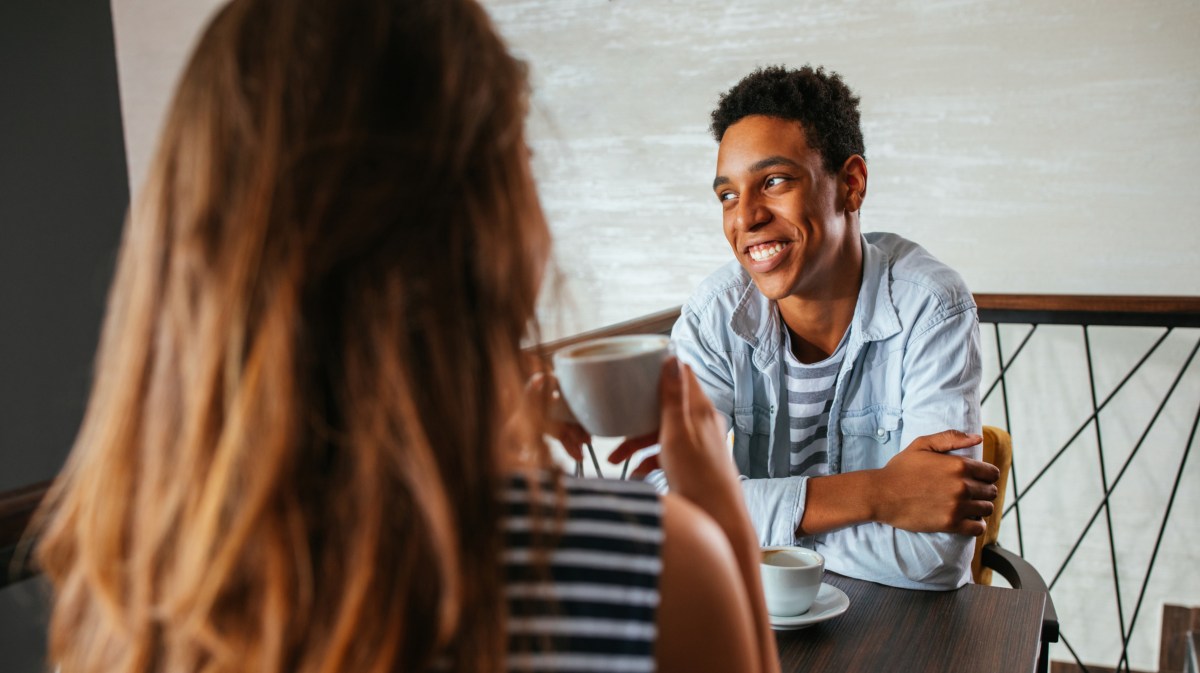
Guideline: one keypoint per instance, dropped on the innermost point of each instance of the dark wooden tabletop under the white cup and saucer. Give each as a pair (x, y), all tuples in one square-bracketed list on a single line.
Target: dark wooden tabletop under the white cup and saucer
[(975, 629)]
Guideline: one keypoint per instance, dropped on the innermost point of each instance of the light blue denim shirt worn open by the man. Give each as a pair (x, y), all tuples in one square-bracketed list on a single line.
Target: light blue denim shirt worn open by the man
[(911, 369)]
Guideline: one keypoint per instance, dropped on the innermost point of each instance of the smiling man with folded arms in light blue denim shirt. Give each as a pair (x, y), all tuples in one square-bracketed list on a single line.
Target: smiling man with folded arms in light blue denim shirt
[(848, 364)]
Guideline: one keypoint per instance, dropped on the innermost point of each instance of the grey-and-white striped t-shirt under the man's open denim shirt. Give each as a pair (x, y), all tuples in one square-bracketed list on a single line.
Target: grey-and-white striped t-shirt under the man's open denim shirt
[(809, 399)]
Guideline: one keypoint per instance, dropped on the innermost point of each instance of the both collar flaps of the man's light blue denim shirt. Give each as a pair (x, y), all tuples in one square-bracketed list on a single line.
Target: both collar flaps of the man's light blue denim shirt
[(757, 320)]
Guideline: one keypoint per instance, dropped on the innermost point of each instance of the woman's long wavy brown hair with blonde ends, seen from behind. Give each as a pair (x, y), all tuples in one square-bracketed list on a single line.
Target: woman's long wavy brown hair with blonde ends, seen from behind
[(311, 364)]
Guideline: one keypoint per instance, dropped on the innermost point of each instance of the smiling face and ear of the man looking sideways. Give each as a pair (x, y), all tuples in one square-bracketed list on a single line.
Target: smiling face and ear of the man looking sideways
[(785, 217)]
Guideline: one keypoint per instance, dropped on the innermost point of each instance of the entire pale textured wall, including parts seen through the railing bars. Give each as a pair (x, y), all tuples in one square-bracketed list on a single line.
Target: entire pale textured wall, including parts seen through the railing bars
[(1036, 147)]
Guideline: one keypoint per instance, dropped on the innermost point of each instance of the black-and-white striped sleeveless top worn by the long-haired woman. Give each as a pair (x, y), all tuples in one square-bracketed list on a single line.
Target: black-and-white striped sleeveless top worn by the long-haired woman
[(592, 606)]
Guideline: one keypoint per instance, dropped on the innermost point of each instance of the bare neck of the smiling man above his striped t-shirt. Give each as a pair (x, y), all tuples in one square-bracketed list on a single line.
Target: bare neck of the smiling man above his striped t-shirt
[(818, 321)]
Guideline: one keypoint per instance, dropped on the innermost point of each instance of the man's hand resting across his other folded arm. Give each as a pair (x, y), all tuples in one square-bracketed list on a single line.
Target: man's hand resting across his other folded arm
[(923, 490)]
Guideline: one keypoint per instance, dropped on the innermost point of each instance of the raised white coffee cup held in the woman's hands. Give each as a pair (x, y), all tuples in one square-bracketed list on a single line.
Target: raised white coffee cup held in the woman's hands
[(611, 384)]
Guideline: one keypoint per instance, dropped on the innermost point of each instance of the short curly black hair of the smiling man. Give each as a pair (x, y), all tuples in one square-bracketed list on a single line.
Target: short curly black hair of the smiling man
[(826, 109)]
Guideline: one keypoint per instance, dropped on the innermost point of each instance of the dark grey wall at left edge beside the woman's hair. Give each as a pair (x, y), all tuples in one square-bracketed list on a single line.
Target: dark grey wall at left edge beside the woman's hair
[(63, 196)]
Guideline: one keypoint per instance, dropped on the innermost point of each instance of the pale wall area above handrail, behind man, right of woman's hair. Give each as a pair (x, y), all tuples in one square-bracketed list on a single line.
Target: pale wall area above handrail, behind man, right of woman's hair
[(1036, 147)]
